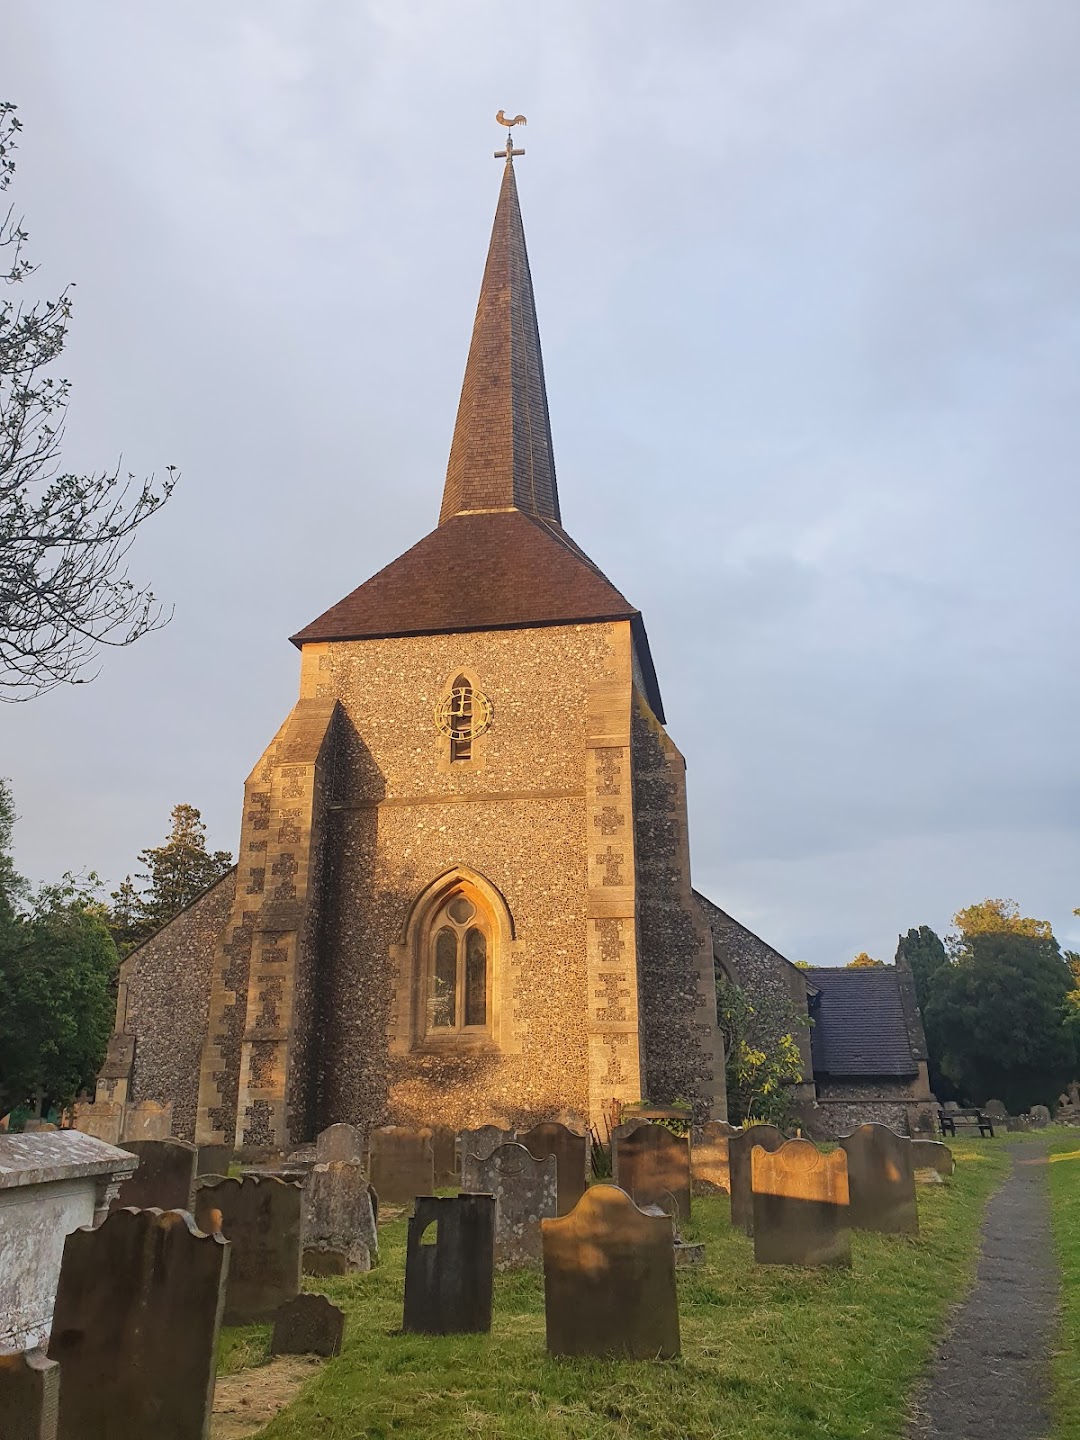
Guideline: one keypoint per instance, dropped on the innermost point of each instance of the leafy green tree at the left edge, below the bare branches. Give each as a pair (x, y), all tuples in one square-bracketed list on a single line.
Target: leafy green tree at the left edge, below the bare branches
[(57, 970)]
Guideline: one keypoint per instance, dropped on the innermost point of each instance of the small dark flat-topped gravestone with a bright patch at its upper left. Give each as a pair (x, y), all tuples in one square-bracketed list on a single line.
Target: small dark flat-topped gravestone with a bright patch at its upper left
[(450, 1269)]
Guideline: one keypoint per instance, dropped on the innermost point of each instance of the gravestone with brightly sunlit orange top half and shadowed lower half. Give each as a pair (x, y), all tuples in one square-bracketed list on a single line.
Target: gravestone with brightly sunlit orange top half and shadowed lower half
[(800, 1206)]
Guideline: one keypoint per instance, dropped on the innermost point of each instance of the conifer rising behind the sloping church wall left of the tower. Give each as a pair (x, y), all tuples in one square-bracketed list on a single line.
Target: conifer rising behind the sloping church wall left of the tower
[(176, 873)]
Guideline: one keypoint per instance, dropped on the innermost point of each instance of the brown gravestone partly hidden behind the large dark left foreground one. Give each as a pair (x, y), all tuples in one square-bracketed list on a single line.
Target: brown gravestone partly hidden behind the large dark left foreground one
[(263, 1220)]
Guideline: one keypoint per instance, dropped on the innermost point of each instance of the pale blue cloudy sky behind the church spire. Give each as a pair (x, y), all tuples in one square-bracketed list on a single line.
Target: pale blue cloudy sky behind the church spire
[(809, 282)]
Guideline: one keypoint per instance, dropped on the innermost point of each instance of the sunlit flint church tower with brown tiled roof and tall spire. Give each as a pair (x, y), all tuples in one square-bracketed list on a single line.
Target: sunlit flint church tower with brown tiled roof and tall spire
[(463, 891)]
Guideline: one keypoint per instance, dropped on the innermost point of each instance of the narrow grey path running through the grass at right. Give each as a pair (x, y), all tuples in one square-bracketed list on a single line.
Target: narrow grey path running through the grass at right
[(990, 1379)]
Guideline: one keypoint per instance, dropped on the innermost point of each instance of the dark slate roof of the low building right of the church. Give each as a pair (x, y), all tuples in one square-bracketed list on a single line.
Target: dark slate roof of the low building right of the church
[(860, 1027)]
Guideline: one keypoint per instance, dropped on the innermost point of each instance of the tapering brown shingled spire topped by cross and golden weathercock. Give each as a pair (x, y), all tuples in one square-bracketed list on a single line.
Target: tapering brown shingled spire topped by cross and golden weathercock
[(502, 453)]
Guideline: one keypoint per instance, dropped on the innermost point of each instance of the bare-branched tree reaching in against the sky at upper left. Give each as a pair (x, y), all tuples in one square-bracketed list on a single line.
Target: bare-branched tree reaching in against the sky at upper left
[(64, 539)]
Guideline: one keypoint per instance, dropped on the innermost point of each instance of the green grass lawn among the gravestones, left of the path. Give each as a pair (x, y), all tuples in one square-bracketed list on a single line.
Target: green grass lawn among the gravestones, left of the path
[(768, 1354)]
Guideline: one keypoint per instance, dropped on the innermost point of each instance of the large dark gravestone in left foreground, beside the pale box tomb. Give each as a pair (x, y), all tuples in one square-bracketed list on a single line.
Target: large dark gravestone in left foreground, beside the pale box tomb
[(139, 1310)]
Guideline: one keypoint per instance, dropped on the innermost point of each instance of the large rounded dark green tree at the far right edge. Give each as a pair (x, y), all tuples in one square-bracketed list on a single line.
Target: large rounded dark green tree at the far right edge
[(1002, 1017)]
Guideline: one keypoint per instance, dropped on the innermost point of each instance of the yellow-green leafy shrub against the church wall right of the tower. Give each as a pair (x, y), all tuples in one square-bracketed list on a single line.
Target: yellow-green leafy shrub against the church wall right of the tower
[(764, 1059)]
